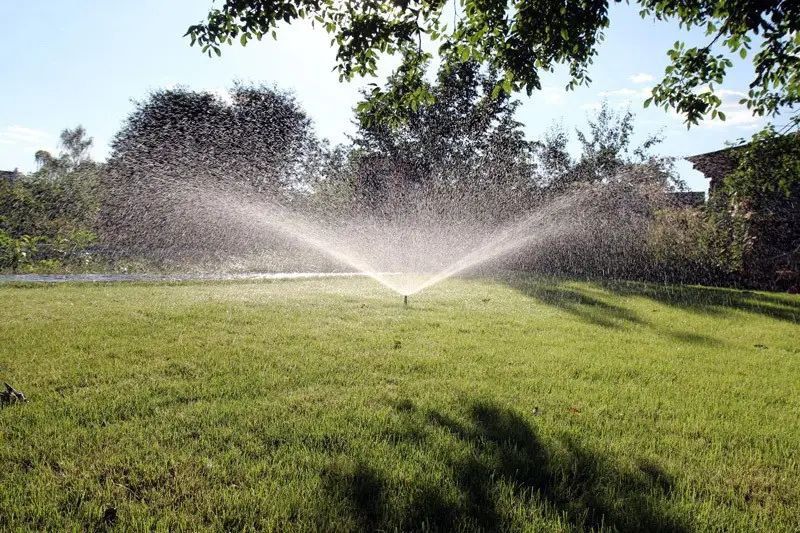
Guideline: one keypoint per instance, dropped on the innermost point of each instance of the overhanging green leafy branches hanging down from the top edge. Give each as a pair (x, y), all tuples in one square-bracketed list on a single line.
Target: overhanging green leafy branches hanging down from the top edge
[(528, 37)]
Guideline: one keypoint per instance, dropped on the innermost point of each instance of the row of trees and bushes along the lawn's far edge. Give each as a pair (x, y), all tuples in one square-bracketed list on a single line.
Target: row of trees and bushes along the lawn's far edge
[(463, 155)]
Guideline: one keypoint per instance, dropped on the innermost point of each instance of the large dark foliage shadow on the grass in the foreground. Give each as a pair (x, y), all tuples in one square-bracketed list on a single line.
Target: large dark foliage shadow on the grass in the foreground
[(504, 453)]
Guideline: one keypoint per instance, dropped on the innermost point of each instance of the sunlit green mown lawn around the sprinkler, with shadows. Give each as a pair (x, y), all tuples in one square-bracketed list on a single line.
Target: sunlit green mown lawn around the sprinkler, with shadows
[(326, 405)]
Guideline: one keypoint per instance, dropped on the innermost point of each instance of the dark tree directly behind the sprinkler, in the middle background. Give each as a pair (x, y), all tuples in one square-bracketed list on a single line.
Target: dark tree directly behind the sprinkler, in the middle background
[(465, 145)]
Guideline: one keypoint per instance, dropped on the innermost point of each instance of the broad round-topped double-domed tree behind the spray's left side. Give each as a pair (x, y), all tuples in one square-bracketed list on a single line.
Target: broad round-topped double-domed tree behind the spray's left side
[(179, 146)]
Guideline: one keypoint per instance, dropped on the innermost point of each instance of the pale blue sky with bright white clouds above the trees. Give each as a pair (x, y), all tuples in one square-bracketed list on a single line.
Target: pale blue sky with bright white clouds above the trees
[(70, 62)]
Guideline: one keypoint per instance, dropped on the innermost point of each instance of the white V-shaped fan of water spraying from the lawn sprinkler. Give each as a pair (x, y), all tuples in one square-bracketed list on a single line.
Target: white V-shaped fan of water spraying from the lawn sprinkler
[(406, 255)]
